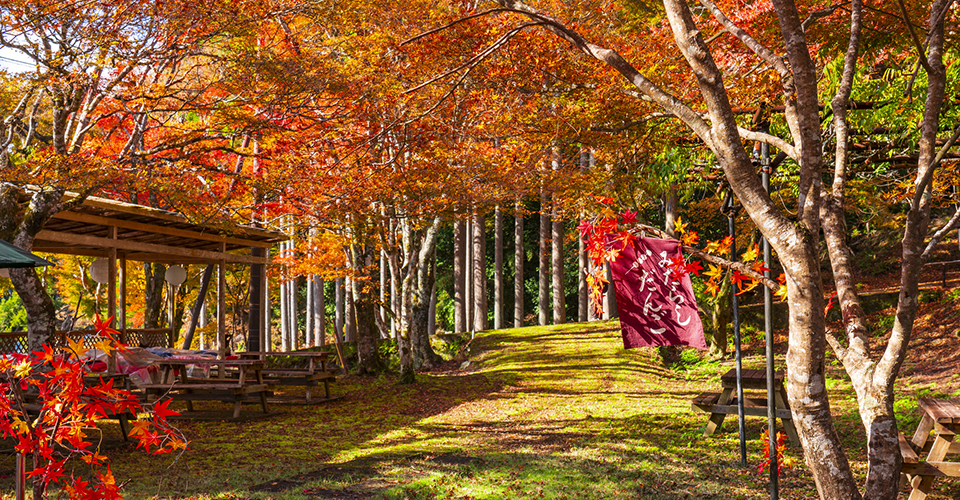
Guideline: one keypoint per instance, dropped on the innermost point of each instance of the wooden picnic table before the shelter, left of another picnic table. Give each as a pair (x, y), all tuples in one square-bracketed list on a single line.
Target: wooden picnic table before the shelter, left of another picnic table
[(176, 383)]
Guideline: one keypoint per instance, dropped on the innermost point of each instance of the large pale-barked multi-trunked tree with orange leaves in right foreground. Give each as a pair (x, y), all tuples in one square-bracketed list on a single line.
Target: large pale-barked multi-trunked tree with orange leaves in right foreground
[(790, 54)]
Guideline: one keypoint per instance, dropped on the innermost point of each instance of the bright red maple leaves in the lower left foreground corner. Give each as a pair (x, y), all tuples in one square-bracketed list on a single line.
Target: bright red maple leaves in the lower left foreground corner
[(69, 405)]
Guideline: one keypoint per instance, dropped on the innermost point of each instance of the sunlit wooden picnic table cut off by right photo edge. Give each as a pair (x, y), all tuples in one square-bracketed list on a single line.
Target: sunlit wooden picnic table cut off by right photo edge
[(934, 437)]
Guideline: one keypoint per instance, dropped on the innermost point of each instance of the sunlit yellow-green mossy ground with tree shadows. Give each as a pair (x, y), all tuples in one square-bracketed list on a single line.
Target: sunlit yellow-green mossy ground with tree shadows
[(541, 412)]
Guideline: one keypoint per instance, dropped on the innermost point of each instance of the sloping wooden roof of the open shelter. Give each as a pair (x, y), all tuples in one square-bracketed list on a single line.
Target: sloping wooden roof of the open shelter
[(150, 235)]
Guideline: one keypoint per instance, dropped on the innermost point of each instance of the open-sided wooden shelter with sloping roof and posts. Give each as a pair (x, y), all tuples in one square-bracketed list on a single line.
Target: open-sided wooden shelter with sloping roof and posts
[(121, 232)]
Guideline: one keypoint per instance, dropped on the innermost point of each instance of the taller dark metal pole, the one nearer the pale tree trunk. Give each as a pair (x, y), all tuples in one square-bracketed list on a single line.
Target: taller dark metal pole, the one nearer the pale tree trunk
[(768, 328)]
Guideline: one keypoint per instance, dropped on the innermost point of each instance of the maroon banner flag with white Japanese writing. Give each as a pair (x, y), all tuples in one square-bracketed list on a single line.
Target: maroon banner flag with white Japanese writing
[(656, 306)]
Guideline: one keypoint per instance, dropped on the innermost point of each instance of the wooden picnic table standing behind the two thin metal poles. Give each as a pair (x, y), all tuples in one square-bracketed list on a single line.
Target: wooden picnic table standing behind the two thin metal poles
[(723, 403)]
